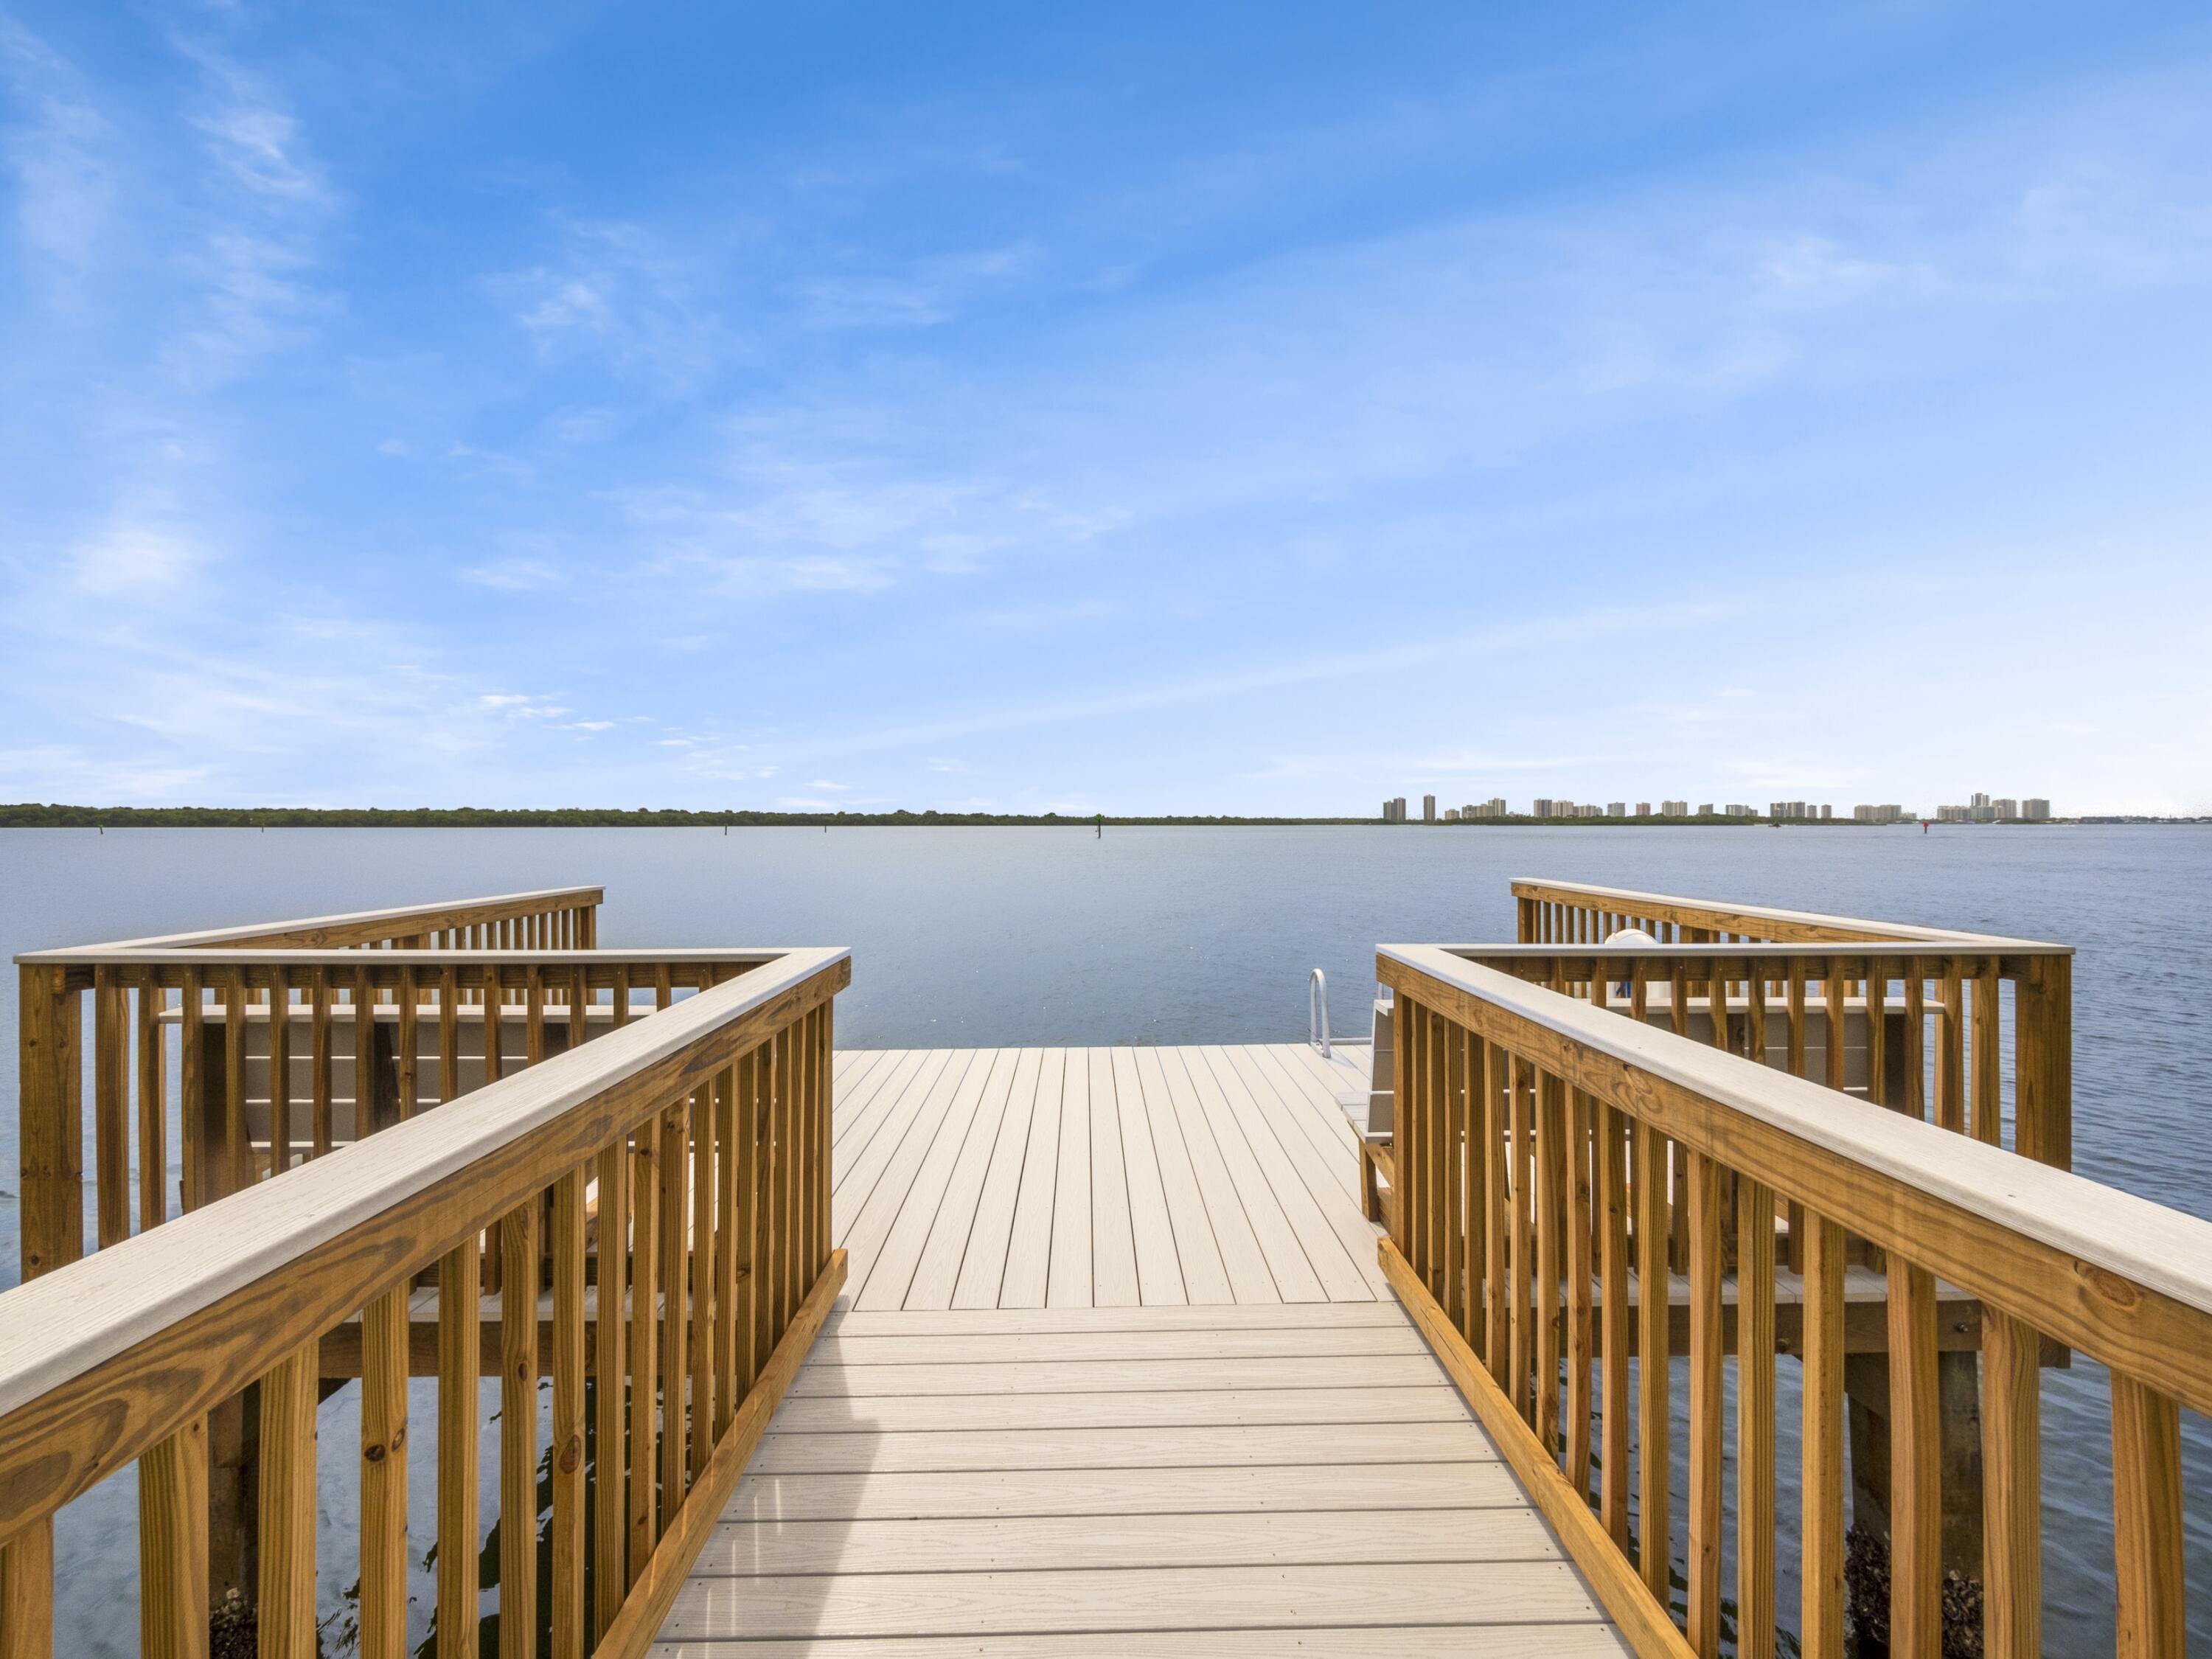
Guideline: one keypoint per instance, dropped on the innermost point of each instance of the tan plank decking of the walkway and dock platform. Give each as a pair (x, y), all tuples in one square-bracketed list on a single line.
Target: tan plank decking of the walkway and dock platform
[(1116, 1375)]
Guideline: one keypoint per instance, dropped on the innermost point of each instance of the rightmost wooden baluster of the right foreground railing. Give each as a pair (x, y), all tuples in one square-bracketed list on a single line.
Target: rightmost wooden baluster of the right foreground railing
[(2147, 1523)]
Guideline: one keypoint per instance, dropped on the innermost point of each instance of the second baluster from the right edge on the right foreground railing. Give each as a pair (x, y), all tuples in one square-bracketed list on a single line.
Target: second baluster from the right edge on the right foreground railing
[(2012, 1490)]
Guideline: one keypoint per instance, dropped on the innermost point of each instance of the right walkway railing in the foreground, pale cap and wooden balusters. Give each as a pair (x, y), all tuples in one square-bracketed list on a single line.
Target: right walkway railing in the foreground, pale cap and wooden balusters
[(1547, 1154)]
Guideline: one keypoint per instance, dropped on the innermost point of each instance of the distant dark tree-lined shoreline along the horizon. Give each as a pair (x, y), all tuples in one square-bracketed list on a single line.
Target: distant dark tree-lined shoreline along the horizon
[(65, 817)]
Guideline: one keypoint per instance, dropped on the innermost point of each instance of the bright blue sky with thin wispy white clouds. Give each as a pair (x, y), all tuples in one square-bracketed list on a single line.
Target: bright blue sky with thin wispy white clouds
[(1105, 408)]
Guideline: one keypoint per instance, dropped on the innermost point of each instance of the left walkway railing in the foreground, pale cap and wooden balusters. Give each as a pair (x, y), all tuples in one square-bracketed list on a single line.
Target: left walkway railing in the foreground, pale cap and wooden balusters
[(658, 1207)]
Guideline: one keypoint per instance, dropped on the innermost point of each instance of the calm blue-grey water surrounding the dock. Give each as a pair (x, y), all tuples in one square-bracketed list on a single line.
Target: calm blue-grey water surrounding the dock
[(1050, 937)]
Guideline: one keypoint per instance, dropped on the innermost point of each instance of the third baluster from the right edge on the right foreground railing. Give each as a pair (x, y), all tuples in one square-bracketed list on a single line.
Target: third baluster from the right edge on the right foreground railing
[(1914, 1468)]
